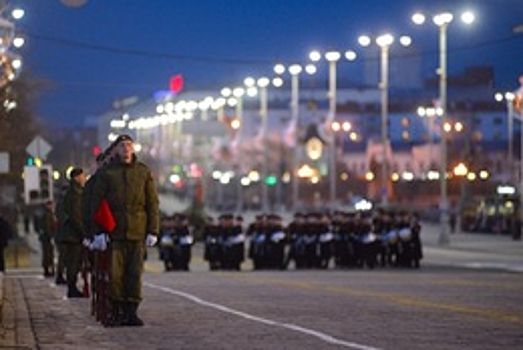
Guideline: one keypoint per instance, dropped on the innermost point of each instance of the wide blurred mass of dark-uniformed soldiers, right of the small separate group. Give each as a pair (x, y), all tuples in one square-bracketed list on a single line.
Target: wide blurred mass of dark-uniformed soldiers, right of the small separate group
[(316, 240)]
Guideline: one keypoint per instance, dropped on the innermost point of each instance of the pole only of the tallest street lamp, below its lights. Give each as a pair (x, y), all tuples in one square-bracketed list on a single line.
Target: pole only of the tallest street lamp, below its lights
[(444, 238)]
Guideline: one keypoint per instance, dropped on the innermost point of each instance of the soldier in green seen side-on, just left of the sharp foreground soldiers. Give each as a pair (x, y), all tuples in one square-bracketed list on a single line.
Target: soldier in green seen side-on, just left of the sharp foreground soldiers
[(73, 230)]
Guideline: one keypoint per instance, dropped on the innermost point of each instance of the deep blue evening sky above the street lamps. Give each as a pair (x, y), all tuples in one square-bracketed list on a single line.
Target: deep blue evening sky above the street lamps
[(111, 49)]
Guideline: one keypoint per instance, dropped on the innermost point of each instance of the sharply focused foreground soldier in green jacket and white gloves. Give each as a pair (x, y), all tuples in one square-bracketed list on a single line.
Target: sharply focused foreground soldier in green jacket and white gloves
[(129, 189)]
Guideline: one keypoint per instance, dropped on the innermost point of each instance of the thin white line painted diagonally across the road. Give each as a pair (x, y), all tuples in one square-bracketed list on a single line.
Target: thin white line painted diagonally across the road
[(320, 335)]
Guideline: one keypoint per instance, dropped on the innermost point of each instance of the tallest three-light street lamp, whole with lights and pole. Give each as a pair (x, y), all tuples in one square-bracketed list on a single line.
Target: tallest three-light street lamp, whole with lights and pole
[(442, 20)]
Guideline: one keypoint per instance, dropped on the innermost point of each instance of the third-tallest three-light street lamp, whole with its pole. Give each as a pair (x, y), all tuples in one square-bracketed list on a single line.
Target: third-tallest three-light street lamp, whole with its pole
[(332, 57)]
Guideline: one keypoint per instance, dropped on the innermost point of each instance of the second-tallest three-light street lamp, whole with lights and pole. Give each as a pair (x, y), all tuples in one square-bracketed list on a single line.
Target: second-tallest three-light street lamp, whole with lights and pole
[(384, 41)]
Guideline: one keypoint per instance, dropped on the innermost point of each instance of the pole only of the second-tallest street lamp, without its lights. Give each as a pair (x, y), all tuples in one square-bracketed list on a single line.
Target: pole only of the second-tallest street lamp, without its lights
[(384, 118)]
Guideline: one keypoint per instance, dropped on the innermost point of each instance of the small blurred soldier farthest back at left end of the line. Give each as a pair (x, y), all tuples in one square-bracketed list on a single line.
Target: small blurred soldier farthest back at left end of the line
[(46, 233)]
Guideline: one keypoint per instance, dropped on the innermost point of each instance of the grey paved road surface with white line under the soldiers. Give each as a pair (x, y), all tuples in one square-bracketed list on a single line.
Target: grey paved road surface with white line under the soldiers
[(434, 307)]
